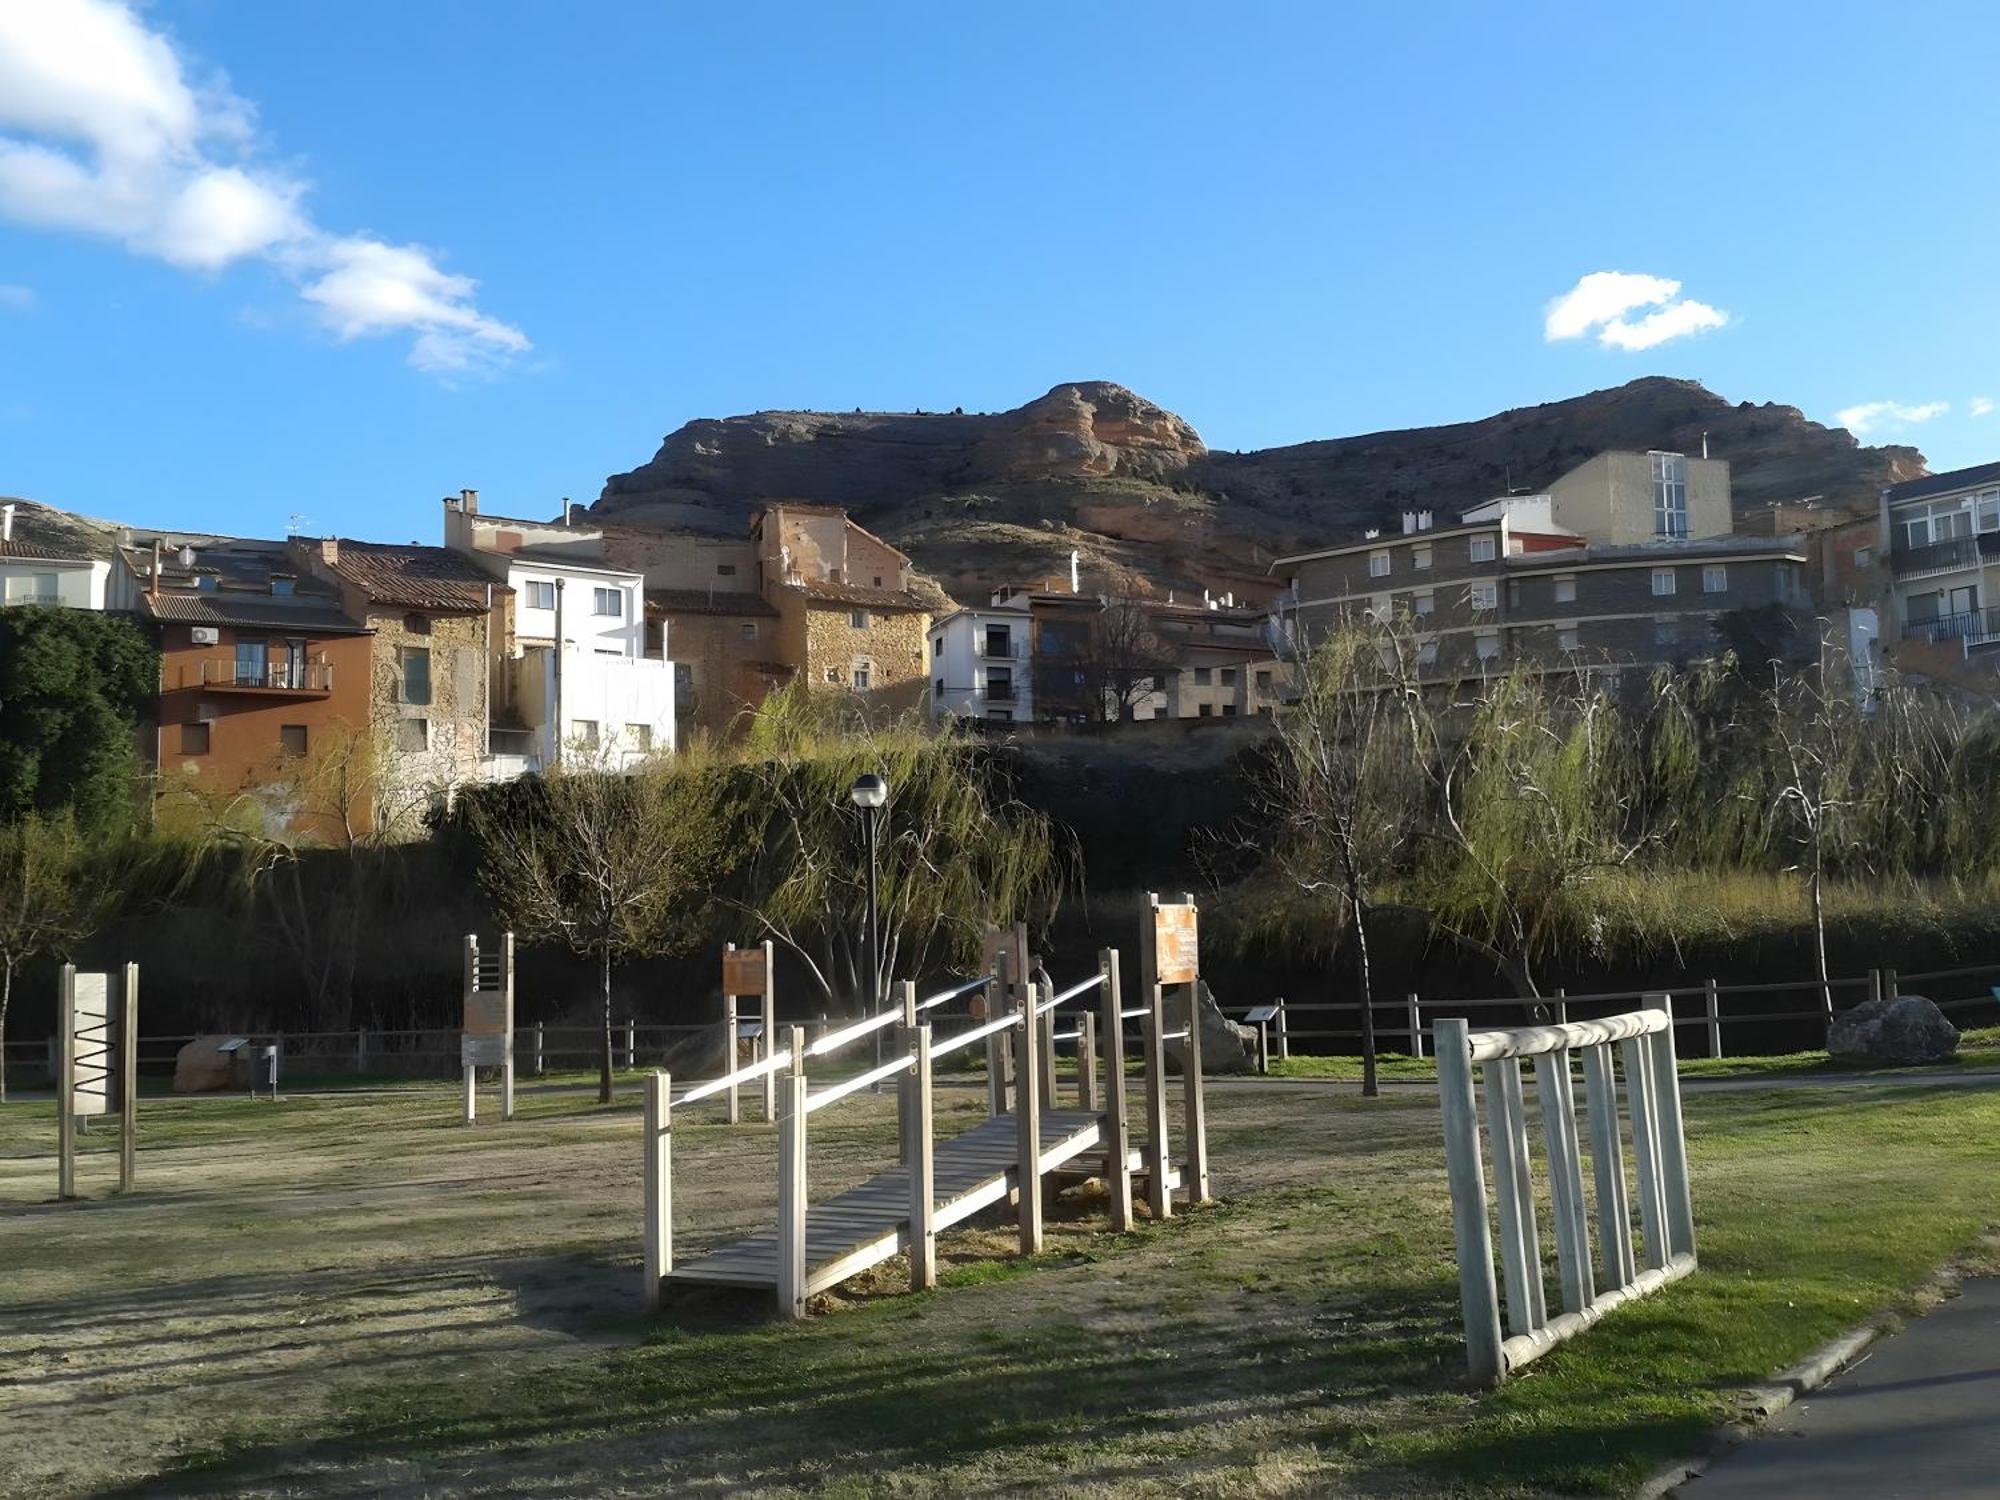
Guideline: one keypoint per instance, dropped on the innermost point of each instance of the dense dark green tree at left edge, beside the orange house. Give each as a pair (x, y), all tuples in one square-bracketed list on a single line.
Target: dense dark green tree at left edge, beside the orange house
[(75, 687)]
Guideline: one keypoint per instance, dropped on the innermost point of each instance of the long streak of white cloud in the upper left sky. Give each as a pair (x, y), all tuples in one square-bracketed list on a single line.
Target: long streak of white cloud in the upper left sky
[(101, 133)]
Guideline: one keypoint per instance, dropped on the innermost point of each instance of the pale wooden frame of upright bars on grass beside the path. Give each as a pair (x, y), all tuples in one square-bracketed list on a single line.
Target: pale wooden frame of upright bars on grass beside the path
[(1645, 1047)]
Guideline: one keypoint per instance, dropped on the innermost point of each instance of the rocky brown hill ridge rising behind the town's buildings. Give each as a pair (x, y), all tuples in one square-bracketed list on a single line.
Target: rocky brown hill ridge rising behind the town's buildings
[(1091, 467)]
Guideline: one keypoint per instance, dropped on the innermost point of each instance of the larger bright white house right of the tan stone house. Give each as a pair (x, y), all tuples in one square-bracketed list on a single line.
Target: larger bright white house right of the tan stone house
[(573, 681)]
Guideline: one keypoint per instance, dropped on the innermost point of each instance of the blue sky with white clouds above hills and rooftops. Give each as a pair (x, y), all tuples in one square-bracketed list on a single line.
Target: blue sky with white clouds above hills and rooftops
[(339, 259)]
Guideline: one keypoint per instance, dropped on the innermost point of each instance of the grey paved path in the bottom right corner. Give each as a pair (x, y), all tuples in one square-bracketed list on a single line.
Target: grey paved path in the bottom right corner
[(1917, 1419)]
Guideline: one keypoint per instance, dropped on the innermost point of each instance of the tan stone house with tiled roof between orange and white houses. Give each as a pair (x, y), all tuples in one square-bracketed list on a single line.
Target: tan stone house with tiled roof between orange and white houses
[(433, 619)]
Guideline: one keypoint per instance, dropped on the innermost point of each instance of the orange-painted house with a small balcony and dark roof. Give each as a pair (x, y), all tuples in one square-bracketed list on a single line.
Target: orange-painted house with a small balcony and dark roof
[(263, 677)]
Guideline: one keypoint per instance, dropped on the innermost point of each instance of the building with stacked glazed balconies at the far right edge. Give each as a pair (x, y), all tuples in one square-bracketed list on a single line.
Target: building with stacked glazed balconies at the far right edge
[(1943, 541)]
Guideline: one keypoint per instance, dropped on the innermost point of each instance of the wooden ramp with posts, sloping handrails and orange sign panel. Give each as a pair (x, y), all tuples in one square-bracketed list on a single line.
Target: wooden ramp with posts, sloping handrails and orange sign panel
[(1009, 1159)]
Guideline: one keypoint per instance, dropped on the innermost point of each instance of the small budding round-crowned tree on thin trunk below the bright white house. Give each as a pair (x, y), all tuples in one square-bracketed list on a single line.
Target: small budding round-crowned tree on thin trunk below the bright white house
[(599, 863)]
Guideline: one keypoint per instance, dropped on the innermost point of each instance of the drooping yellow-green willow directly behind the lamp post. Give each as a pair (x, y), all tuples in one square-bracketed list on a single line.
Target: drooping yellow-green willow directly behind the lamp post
[(955, 847)]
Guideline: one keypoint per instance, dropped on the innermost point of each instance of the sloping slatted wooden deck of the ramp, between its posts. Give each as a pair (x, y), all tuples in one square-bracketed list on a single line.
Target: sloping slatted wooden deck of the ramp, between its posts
[(867, 1225)]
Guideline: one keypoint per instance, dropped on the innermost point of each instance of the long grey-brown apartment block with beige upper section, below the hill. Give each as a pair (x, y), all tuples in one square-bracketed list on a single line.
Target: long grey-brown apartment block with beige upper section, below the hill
[(1625, 561)]
